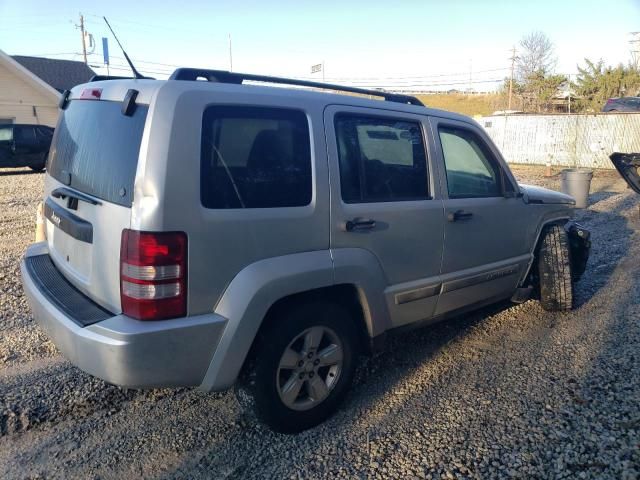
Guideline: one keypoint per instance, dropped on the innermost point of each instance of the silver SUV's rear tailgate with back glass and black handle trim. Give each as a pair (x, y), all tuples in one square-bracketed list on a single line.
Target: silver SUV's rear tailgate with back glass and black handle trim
[(89, 193)]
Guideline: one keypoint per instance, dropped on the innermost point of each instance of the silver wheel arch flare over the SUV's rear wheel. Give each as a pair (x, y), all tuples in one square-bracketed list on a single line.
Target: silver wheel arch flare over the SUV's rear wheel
[(257, 292)]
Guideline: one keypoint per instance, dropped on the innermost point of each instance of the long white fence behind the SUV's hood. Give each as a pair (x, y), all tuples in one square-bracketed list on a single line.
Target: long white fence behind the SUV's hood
[(564, 140)]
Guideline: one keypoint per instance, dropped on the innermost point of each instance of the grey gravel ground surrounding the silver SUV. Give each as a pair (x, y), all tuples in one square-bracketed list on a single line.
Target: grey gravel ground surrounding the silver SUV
[(510, 391)]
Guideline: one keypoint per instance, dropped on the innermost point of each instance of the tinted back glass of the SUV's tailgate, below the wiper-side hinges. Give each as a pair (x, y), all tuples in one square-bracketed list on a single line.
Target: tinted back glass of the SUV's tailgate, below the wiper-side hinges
[(95, 149)]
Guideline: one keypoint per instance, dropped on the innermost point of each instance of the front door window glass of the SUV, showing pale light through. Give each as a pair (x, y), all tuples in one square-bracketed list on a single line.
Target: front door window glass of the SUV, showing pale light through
[(470, 168)]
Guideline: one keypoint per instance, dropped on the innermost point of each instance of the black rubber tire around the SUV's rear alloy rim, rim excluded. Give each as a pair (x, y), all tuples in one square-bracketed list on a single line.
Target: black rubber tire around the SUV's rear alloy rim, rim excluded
[(258, 390)]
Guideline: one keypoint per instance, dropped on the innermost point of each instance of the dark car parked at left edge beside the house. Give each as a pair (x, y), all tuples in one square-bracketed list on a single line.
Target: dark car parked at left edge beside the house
[(25, 145)]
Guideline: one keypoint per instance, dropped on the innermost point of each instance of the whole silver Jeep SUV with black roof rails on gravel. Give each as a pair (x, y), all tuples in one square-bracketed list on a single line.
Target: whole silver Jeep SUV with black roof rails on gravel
[(212, 233)]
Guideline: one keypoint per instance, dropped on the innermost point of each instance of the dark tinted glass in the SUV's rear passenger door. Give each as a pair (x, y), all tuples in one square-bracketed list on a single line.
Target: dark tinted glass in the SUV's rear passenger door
[(381, 159)]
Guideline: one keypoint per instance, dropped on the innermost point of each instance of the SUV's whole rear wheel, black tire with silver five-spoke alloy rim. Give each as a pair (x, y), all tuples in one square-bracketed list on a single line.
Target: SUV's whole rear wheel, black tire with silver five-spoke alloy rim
[(303, 366)]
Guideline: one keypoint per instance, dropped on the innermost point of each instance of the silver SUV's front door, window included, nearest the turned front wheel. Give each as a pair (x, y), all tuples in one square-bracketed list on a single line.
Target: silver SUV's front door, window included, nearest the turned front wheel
[(486, 228)]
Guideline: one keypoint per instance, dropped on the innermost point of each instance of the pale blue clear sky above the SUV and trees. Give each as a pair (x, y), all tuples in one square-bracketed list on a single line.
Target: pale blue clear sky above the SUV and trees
[(415, 45)]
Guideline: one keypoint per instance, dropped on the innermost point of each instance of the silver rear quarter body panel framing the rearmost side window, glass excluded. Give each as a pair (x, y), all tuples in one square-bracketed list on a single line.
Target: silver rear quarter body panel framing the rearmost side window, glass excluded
[(221, 242)]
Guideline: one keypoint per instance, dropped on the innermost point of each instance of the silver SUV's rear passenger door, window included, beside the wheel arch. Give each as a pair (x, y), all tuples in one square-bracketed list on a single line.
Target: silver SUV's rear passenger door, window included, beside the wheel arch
[(384, 202)]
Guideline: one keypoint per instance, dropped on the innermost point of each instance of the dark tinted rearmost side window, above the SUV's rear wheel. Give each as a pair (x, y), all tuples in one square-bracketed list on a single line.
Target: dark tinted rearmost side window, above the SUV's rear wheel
[(255, 157)]
